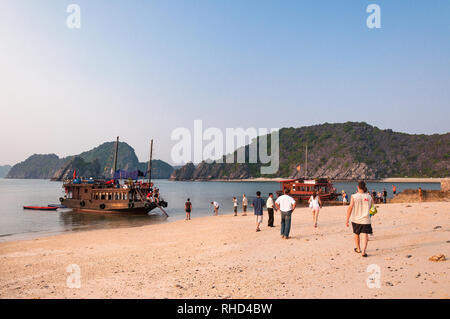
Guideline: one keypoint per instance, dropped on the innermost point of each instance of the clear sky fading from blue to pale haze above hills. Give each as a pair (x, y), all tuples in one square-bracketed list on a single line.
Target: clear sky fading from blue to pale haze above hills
[(140, 69)]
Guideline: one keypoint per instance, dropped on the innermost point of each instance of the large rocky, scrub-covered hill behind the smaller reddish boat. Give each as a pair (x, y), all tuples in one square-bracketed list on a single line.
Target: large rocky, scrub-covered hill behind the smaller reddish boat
[(343, 151)]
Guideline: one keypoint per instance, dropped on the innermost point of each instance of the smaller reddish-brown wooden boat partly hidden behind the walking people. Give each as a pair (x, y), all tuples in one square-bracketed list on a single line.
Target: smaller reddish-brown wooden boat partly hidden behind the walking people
[(302, 189)]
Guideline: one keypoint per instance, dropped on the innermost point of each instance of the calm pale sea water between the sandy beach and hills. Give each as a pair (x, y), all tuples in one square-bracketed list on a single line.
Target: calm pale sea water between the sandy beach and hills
[(16, 223)]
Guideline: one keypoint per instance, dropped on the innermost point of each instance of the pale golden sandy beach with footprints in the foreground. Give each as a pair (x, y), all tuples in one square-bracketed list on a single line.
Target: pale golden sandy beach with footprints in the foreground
[(223, 257)]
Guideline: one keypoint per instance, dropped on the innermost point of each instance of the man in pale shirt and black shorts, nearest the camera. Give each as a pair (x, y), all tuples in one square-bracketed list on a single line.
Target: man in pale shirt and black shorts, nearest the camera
[(359, 211)]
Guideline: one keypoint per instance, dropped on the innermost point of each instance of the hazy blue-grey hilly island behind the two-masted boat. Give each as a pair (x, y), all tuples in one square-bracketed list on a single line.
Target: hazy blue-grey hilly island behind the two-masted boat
[(94, 163)]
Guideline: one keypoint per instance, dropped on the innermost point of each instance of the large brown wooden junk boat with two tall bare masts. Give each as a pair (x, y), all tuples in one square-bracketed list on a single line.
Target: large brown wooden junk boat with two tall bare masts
[(132, 196)]
